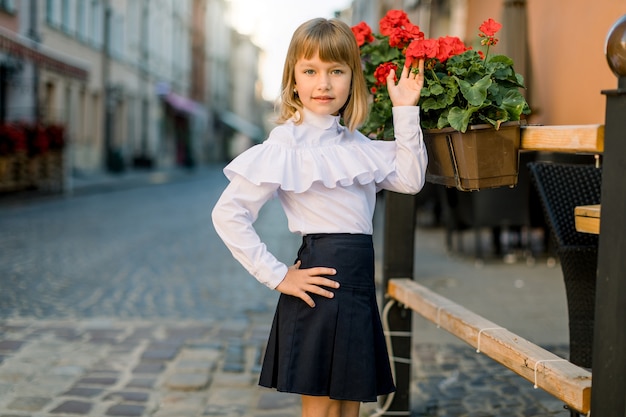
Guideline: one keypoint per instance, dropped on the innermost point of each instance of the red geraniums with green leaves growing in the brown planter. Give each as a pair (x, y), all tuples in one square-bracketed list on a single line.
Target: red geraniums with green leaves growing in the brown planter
[(449, 66)]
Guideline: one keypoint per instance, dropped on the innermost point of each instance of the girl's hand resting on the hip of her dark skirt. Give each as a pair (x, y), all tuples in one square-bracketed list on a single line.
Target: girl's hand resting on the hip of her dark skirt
[(299, 282)]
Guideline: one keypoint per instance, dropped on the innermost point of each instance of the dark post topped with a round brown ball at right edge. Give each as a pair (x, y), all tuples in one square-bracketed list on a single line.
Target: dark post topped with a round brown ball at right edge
[(608, 397)]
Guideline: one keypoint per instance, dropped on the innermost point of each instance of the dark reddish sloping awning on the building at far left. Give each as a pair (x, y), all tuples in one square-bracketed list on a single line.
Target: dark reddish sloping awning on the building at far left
[(24, 48)]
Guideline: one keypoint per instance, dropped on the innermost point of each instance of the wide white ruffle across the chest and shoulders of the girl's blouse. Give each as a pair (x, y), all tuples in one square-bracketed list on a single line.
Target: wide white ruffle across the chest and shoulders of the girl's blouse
[(353, 159)]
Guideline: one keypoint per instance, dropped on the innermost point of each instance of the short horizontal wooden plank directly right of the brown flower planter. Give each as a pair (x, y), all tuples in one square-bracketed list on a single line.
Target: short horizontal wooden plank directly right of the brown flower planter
[(565, 138)]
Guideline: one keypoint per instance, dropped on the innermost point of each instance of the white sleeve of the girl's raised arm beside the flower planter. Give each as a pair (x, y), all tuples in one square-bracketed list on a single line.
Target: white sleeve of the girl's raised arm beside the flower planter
[(410, 152)]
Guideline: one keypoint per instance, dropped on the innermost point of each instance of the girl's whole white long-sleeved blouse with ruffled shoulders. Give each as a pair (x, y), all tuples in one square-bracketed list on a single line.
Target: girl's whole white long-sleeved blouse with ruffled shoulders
[(325, 177)]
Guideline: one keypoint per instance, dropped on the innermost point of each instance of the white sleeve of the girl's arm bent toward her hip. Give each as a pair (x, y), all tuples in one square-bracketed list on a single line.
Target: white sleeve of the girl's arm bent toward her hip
[(233, 217)]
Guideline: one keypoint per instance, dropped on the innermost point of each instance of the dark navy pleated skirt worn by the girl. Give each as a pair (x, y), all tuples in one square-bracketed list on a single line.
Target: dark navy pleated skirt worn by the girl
[(336, 349)]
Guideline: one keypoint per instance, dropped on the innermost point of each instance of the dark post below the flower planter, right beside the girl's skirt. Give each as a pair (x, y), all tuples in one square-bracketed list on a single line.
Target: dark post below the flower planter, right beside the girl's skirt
[(398, 252)]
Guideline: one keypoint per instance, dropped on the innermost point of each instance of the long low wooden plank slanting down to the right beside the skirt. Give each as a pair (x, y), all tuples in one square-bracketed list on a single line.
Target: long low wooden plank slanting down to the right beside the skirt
[(557, 376)]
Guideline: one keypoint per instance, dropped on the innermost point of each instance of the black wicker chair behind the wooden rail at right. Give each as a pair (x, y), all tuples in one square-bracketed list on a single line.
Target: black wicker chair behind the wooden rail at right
[(561, 187)]
